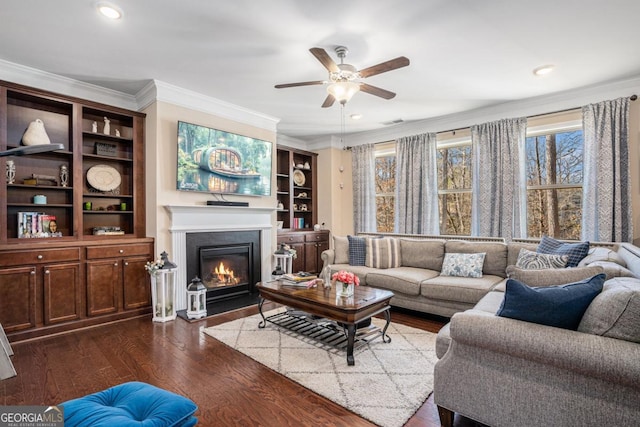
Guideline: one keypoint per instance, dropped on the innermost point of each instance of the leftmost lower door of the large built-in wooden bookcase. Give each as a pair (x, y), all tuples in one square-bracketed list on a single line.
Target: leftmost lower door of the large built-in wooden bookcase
[(18, 298)]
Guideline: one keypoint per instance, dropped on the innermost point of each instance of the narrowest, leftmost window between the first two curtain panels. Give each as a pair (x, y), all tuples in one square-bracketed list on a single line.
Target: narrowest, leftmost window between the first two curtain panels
[(385, 187)]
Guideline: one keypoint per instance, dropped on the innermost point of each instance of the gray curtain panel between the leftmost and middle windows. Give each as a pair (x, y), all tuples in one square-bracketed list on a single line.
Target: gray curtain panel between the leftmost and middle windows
[(416, 209)]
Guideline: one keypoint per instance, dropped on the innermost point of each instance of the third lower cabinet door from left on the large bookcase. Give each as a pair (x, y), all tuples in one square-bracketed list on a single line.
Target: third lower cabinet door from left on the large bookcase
[(103, 285)]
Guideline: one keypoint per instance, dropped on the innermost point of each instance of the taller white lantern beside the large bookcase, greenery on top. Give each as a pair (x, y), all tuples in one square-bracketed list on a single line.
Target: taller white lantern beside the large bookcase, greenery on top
[(163, 290)]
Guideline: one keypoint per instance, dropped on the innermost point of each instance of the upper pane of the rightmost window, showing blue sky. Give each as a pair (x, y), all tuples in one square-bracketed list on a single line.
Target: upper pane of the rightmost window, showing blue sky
[(555, 158)]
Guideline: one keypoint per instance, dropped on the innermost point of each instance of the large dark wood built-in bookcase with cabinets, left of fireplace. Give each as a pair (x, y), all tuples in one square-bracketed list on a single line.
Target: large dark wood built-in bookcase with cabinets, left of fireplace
[(89, 267)]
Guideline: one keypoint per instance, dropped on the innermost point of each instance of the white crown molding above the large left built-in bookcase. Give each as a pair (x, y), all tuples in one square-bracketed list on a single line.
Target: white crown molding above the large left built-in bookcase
[(44, 80)]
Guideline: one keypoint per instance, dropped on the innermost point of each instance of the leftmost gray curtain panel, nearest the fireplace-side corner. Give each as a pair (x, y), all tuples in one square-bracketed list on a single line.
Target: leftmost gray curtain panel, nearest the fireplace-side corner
[(364, 193)]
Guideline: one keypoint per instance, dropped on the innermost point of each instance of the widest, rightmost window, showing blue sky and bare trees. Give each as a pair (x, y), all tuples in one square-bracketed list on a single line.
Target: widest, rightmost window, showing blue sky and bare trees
[(554, 181)]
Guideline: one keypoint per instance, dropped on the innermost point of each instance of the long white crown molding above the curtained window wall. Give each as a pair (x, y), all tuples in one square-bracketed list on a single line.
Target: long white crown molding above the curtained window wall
[(544, 104)]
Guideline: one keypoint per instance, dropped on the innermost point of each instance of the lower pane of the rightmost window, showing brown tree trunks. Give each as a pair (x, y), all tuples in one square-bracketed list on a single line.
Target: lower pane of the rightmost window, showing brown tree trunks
[(555, 213)]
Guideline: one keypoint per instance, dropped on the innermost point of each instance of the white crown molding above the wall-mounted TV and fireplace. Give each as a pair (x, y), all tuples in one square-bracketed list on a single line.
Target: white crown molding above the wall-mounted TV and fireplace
[(159, 91)]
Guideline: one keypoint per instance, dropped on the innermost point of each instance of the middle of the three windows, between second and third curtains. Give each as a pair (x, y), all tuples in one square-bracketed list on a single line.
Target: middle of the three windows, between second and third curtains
[(454, 186)]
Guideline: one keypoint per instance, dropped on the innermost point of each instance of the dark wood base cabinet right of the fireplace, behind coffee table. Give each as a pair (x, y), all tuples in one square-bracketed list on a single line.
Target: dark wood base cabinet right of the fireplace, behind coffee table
[(309, 246)]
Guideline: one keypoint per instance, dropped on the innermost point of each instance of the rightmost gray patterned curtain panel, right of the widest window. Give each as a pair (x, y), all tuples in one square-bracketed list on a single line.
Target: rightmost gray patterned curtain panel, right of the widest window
[(606, 194)]
